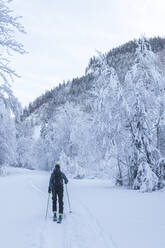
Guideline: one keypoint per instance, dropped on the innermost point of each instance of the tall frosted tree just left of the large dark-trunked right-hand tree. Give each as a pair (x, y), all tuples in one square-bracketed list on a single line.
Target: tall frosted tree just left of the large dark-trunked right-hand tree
[(106, 116)]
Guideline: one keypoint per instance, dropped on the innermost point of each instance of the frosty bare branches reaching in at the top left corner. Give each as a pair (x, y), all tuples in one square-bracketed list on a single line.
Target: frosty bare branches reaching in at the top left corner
[(9, 25)]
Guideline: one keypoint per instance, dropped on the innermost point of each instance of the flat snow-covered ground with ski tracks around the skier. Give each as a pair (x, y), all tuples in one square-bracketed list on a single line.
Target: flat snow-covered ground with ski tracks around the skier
[(103, 216)]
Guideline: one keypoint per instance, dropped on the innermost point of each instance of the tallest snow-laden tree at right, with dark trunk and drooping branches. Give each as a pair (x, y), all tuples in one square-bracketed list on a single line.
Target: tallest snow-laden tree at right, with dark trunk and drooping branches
[(144, 88)]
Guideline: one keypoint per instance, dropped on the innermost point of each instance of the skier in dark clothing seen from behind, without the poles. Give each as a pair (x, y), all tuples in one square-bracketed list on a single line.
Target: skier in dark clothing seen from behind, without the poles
[(57, 189)]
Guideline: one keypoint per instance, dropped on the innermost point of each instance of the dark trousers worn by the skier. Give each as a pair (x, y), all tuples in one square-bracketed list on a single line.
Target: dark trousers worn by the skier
[(58, 193)]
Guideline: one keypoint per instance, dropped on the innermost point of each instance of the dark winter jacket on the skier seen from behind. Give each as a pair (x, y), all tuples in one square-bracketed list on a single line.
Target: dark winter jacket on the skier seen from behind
[(56, 180)]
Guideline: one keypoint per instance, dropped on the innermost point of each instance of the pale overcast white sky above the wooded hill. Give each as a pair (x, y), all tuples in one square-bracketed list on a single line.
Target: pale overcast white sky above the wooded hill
[(63, 34)]
